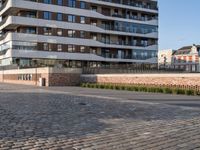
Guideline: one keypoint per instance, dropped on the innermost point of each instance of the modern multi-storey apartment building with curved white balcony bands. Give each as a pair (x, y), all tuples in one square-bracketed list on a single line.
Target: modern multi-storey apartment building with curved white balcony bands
[(76, 33)]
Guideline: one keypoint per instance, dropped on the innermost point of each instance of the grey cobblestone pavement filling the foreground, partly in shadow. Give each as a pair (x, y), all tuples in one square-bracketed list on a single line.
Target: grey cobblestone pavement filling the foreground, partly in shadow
[(32, 118)]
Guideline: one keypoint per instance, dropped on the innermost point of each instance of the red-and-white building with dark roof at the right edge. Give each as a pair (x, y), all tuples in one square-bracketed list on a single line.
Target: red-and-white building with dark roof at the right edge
[(187, 58)]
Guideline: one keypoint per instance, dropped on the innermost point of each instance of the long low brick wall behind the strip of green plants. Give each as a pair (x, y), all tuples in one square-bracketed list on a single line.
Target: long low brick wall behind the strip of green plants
[(145, 79)]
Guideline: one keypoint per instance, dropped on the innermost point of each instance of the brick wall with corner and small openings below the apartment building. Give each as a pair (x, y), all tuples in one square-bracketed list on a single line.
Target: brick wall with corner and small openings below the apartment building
[(52, 76)]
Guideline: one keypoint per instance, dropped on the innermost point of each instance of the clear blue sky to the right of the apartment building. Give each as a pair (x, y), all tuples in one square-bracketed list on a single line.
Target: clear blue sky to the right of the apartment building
[(179, 23)]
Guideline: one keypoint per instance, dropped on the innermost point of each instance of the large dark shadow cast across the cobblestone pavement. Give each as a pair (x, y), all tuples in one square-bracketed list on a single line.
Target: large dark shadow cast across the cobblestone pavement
[(45, 115)]
